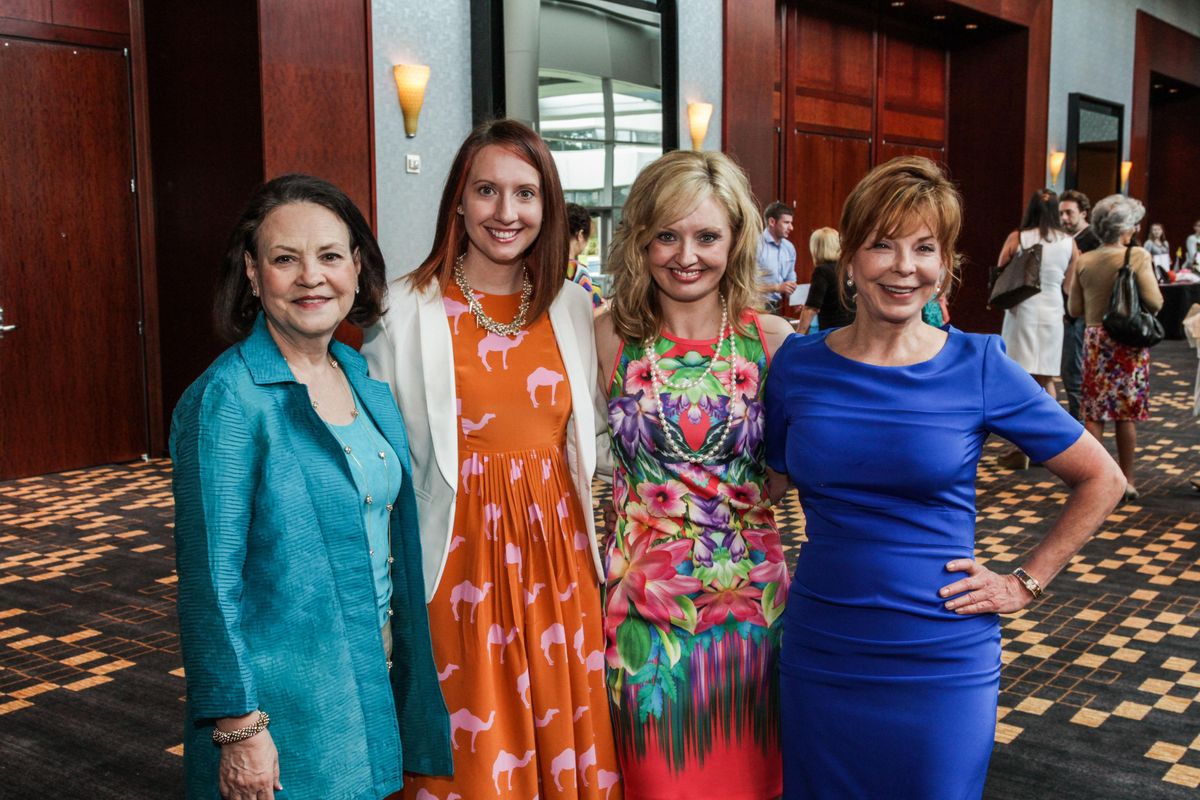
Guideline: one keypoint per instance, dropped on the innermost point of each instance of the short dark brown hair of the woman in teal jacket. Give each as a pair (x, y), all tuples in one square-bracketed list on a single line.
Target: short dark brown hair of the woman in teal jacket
[(236, 308)]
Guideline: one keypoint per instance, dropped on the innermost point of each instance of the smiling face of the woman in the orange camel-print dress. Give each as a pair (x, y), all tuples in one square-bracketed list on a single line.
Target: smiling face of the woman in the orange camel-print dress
[(502, 207)]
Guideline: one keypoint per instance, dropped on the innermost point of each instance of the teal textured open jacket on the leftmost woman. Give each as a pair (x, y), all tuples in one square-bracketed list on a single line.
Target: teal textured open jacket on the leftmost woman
[(277, 603)]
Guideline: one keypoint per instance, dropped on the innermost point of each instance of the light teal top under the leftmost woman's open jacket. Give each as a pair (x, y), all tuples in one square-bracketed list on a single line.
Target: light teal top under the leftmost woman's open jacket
[(379, 477)]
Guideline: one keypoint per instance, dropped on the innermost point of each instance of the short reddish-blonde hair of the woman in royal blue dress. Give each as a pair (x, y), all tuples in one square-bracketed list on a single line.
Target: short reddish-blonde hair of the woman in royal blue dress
[(896, 199)]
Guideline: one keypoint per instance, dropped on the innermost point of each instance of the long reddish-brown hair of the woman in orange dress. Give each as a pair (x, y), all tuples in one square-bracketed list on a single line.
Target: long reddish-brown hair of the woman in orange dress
[(547, 260)]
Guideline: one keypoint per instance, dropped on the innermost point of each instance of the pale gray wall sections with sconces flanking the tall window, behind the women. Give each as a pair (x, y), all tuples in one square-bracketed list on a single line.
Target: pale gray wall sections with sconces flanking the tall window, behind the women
[(439, 34)]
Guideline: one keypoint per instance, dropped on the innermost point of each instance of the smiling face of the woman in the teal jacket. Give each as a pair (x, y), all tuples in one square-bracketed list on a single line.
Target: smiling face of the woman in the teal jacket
[(305, 270)]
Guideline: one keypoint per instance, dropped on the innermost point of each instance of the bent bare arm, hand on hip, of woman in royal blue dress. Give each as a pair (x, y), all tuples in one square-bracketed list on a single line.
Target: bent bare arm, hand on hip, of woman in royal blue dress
[(1096, 485)]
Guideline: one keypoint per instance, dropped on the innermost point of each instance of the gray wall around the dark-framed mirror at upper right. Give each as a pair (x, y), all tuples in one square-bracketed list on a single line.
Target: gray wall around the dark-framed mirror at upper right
[(1091, 52)]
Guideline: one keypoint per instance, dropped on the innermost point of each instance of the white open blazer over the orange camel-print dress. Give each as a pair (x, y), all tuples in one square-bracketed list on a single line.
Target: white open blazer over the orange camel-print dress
[(411, 350)]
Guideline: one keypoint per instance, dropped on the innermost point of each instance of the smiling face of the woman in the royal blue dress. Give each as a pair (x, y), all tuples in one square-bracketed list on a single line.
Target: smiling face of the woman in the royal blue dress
[(896, 276)]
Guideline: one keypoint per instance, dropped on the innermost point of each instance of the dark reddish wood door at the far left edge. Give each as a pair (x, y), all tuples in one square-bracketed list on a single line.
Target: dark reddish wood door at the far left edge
[(73, 390)]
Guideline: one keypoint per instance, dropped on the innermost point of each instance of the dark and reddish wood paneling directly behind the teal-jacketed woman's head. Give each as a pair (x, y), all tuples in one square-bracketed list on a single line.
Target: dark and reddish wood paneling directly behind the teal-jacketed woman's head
[(292, 81)]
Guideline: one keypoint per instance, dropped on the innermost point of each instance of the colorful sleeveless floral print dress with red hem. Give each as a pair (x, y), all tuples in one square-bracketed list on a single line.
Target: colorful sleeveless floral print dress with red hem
[(697, 578)]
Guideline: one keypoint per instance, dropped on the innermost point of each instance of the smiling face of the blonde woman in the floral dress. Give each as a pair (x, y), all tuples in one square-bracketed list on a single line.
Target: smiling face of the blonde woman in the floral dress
[(688, 257)]
